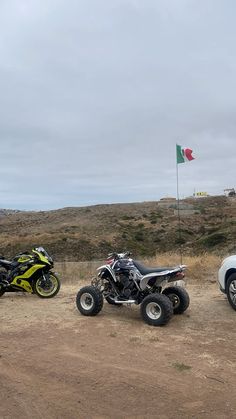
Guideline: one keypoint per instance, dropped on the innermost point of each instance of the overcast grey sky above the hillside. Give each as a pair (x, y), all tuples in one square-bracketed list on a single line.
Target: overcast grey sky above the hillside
[(95, 94)]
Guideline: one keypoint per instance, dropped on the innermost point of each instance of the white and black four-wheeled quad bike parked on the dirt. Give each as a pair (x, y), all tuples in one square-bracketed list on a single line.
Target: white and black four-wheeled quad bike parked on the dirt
[(123, 280)]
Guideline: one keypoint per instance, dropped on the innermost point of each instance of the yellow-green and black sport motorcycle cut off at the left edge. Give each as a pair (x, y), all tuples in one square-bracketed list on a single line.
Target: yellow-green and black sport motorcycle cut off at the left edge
[(30, 272)]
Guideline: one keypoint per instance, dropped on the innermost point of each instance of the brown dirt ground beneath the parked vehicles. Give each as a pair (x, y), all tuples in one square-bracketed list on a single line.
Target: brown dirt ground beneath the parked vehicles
[(56, 363)]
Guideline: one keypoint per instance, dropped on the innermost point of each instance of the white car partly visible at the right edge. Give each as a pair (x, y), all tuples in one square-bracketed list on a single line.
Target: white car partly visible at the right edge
[(227, 279)]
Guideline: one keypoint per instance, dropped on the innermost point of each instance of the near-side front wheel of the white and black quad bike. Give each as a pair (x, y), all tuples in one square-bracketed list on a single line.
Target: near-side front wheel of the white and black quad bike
[(89, 301)]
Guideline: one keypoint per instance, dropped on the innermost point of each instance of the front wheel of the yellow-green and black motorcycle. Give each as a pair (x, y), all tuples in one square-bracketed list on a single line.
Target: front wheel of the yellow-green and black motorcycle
[(47, 288)]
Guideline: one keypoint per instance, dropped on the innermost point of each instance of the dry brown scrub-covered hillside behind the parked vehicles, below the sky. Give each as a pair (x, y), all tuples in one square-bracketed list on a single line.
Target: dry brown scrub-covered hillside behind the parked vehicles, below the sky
[(84, 233)]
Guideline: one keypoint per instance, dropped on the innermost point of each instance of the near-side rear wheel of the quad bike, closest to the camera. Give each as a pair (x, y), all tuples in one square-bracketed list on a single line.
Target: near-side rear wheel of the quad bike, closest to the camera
[(156, 309)]
